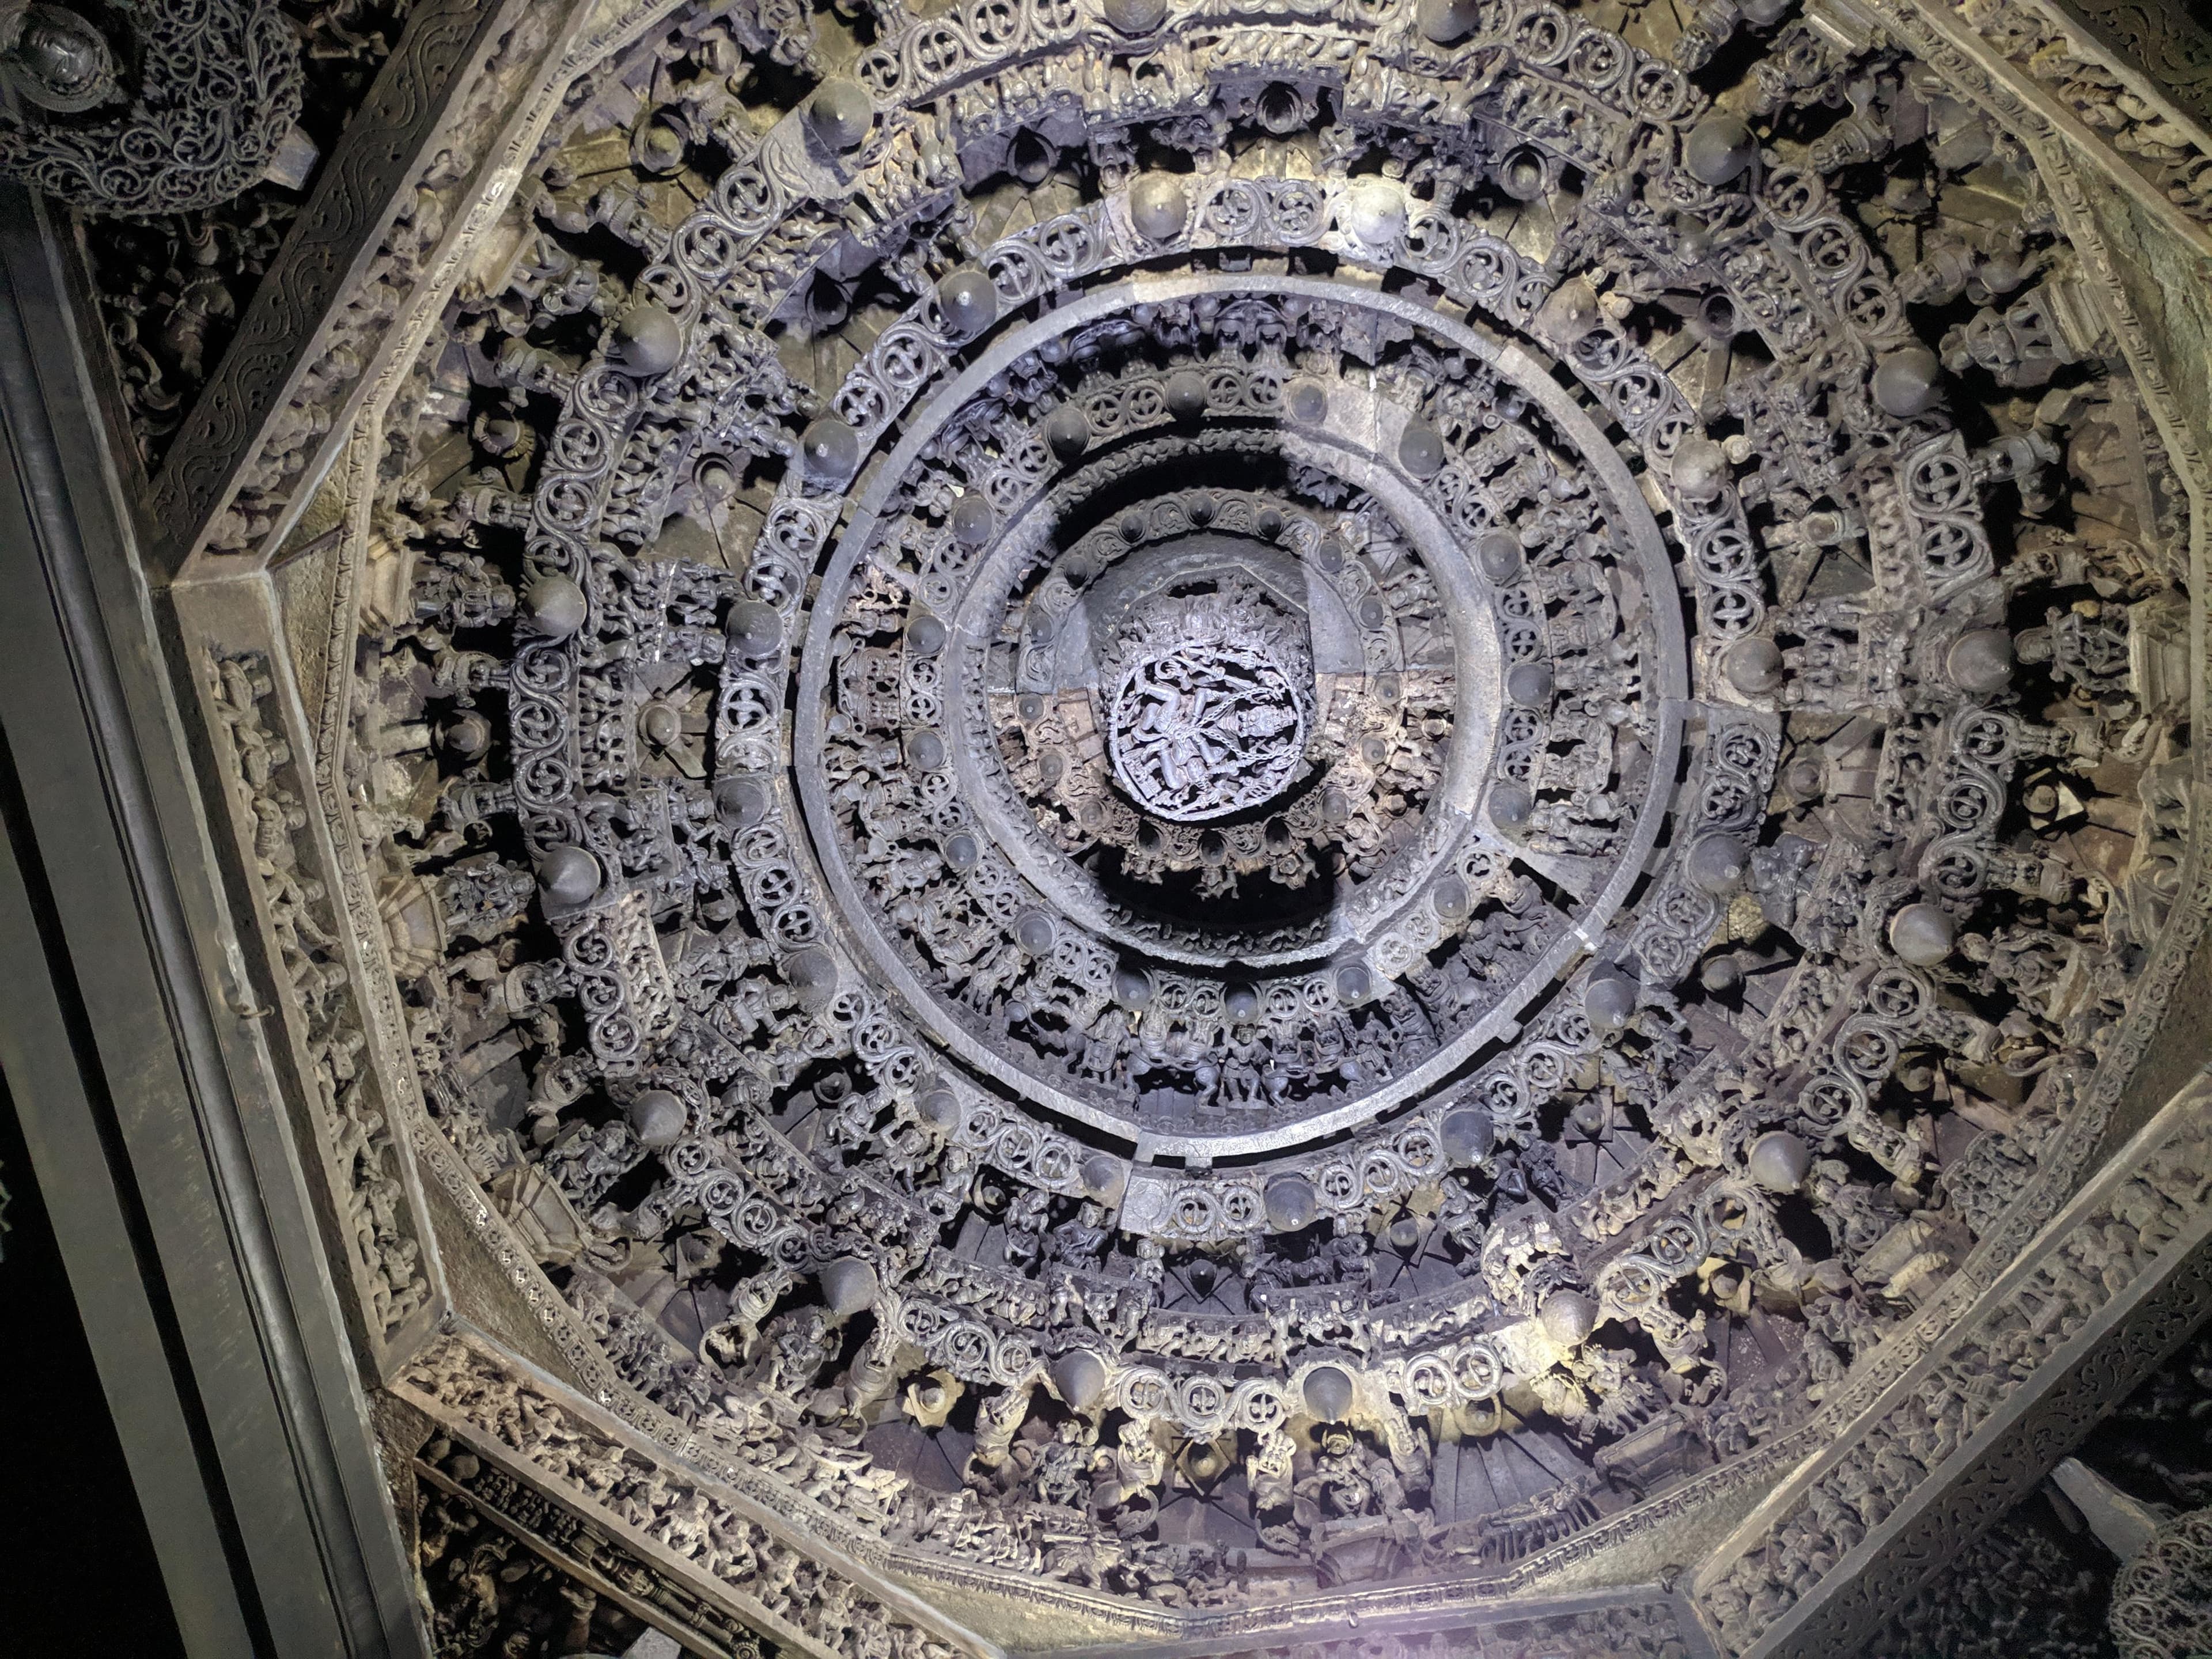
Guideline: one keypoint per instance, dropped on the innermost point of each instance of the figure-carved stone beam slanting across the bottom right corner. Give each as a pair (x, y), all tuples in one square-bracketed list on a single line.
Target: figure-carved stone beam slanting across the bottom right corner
[(2103, 1297)]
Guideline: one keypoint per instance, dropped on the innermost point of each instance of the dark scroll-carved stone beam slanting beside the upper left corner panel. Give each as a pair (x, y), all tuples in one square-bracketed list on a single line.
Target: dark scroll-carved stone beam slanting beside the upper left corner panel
[(364, 187)]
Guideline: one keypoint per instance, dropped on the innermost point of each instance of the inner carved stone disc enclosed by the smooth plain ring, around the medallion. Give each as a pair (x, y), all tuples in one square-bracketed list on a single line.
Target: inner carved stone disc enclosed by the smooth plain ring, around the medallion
[(1063, 981)]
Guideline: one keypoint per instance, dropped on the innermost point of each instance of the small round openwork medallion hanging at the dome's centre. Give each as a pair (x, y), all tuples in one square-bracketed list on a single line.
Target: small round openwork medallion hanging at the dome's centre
[(1209, 727)]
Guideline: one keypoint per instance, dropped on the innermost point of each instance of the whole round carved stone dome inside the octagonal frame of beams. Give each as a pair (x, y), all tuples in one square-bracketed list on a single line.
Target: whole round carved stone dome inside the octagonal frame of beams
[(826, 669)]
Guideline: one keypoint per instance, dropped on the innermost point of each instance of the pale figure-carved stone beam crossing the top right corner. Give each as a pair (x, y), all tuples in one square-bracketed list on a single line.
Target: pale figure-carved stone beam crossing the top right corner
[(1941, 34)]
